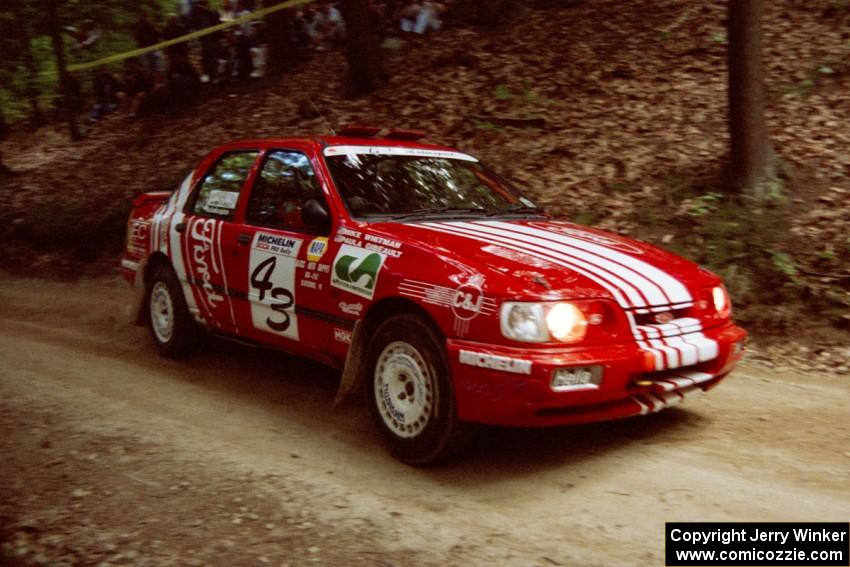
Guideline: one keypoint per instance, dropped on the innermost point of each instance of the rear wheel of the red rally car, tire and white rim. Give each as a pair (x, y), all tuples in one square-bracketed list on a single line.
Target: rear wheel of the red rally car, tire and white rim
[(174, 331)]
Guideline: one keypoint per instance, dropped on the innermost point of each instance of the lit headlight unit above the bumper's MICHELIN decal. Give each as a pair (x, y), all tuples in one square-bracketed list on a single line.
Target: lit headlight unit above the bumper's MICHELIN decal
[(541, 322)]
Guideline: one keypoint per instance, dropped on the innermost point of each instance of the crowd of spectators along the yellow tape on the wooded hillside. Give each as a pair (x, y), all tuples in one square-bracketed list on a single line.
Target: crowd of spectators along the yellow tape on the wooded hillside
[(161, 79)]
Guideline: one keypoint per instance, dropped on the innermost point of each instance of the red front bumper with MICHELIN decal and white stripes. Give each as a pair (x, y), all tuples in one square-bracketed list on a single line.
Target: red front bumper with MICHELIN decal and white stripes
[(510, 386)]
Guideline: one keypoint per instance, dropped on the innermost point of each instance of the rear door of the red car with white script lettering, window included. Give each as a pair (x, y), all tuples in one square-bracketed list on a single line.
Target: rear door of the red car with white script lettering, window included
[(209, 236)]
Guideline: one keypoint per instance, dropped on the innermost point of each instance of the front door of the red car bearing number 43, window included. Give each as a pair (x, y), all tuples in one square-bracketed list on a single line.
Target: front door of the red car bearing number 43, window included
[(283, 273)]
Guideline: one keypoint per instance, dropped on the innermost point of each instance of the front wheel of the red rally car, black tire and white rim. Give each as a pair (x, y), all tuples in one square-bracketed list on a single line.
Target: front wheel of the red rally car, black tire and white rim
[(410, 393)]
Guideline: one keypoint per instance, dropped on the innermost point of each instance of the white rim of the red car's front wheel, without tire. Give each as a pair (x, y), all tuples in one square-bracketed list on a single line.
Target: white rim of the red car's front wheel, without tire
[(404, 389)]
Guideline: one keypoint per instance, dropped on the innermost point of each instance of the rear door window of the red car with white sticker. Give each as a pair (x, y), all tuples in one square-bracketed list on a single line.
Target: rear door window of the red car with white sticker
[(219, 191)]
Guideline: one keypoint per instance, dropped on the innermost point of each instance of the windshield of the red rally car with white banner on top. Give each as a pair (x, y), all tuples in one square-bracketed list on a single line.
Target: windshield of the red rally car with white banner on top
[(425, 184)]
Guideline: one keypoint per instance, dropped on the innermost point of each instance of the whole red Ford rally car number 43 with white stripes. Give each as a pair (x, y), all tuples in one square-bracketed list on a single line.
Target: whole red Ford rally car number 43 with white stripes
[(435, 286)]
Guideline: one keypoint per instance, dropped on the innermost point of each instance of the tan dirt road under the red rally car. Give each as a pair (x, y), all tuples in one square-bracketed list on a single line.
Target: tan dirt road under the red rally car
[(114, 456)]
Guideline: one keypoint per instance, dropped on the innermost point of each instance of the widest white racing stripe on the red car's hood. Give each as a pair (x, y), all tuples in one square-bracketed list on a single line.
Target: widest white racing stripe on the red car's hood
[(671, 289)]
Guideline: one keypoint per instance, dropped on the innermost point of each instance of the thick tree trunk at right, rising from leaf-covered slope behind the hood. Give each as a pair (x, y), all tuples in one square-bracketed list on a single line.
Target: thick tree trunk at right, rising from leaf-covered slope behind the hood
[(752, 159)]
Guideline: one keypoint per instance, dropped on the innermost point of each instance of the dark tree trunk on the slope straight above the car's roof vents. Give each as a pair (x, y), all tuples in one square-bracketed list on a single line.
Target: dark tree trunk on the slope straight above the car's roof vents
[(365, 73)]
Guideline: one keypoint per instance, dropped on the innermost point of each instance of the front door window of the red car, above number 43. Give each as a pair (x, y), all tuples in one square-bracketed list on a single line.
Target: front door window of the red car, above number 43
[(286, 182)]
